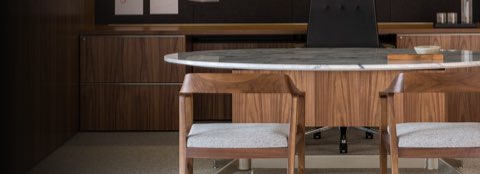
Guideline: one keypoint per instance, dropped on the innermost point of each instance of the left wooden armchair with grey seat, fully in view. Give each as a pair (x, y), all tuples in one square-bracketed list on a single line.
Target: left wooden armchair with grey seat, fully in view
[(240, 140)]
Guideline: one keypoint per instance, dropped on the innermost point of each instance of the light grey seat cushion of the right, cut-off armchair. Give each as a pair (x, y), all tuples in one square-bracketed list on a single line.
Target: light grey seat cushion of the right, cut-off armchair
[(438, 135)]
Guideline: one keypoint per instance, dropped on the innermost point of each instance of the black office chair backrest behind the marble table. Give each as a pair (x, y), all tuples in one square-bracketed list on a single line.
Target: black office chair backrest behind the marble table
[(342, 23)]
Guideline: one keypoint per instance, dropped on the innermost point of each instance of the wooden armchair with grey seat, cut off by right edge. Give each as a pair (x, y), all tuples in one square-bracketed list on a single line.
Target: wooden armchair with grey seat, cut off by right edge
[(429, 139)]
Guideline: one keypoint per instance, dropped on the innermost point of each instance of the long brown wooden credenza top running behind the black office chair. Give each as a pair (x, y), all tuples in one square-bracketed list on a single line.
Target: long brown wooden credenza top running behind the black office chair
[(259, 29)]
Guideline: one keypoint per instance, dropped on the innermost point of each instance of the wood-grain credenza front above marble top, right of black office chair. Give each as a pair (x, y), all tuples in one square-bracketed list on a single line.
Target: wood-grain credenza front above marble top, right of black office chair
[(446, 41)]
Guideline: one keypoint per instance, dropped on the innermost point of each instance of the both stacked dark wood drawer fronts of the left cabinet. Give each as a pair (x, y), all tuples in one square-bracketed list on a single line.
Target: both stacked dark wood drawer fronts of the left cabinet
[(119, 60)]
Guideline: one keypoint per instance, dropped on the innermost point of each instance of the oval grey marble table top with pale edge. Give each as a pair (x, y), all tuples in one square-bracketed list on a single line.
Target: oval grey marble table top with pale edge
[(319, 59)]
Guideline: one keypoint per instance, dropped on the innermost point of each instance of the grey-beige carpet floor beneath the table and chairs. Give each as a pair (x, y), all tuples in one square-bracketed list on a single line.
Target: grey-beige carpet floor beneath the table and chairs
[(157, 152)]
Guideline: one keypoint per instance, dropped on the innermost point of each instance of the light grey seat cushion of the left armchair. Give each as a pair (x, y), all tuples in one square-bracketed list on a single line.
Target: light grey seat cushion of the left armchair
[(238, 135)]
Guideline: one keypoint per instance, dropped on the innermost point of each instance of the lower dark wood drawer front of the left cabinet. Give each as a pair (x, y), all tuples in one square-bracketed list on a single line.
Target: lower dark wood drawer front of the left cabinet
[(129, 107)]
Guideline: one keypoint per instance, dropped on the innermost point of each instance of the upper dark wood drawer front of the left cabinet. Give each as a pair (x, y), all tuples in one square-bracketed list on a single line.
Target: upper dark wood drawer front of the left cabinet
[(130, 59)]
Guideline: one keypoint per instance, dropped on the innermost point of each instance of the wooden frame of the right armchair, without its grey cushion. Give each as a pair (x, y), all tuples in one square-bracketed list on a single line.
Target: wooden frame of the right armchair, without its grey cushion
[(421, 83)]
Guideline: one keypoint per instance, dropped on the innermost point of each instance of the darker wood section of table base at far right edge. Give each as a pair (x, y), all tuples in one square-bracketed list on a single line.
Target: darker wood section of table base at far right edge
[(463, 106)]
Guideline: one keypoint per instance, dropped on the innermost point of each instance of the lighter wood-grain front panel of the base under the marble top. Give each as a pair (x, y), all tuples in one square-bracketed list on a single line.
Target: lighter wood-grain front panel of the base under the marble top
[(338, 99)]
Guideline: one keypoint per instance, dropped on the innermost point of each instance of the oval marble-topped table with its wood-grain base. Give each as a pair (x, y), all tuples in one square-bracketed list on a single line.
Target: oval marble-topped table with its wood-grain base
[(341, 84)]
